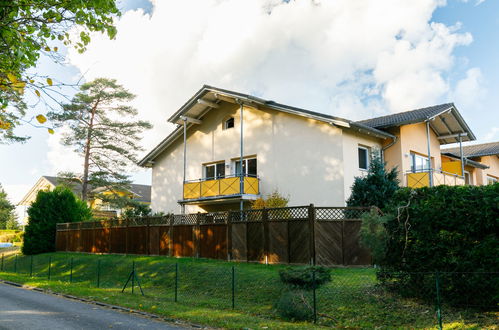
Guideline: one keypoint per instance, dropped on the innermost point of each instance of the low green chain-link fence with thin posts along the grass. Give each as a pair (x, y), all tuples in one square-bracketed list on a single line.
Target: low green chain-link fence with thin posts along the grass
[(355, 297)]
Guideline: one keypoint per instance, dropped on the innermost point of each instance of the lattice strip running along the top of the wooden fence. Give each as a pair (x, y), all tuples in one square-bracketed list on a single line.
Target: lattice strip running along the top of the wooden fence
[(297, 213)]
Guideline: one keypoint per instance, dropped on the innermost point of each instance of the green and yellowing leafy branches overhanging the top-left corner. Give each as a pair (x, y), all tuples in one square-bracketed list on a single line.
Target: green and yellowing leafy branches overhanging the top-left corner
[(30, 28)]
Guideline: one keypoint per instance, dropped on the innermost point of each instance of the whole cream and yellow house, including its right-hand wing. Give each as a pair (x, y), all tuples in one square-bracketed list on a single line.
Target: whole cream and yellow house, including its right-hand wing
[(229, 149)]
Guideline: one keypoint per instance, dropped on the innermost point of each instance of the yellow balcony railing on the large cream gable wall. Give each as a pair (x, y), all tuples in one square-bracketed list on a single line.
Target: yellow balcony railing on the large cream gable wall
[(226, 186)]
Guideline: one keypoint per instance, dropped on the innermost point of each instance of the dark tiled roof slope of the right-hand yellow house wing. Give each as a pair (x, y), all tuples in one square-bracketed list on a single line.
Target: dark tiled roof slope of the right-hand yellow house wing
[(407, 117)]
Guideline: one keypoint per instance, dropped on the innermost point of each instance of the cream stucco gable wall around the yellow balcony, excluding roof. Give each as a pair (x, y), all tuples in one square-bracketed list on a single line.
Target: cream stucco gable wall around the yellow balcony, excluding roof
[(307, 160)]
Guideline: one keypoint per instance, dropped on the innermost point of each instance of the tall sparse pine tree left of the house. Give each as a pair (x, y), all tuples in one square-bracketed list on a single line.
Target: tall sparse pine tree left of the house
[(103, 131)]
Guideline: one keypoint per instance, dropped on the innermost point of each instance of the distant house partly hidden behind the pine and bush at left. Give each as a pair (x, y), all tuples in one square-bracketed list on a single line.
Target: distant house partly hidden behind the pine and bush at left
[(138, 192)]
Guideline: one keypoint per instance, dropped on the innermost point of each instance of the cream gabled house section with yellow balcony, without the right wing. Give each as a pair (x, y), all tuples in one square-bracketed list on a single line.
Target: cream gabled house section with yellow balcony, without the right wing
[(309, 157)]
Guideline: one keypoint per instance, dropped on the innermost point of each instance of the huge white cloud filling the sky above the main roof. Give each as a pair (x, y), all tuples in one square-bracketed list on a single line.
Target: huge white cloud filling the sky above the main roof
[(350, 58)]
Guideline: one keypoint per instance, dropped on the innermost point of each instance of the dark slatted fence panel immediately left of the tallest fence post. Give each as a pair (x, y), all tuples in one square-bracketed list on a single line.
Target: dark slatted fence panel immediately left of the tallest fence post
[(299, 242)]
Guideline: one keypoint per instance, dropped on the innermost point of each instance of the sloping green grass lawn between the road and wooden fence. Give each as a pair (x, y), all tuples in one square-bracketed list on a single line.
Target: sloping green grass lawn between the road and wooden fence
[(351, 300)]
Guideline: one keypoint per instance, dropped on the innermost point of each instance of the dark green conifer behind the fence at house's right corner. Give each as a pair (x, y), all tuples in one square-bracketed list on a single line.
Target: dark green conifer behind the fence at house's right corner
[(377, 187)]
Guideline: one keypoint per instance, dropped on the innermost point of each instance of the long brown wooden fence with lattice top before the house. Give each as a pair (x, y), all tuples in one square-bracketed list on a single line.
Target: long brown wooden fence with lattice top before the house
[(293, 235)]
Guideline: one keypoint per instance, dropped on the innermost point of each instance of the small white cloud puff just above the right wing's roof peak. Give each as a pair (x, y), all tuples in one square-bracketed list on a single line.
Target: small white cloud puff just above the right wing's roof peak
[(469, 90)]
